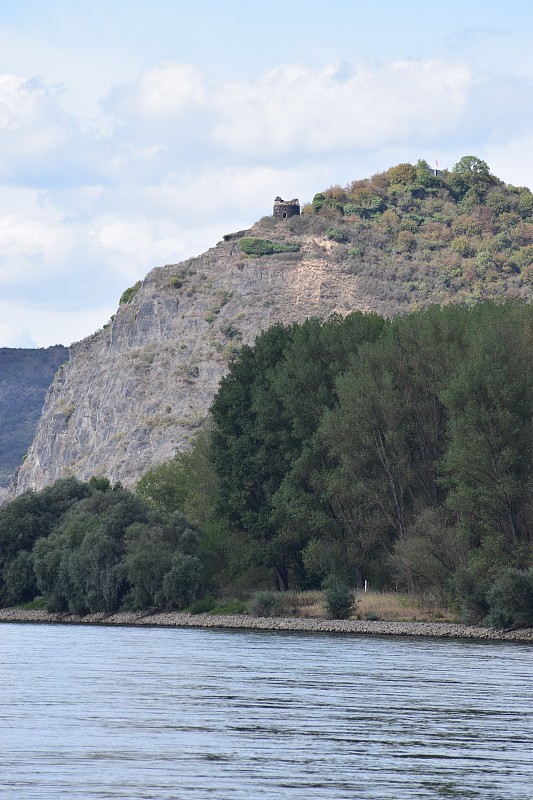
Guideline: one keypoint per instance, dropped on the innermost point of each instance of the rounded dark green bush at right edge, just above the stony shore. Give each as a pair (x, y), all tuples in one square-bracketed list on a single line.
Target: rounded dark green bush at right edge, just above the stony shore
[(511, 600)]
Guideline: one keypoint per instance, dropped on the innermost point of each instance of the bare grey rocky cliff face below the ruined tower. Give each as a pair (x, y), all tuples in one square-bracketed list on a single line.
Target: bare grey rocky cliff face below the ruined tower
[(136, 391)]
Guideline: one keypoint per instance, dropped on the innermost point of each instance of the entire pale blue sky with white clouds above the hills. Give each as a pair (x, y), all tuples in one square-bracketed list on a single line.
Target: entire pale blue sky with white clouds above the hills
[(136, 133)]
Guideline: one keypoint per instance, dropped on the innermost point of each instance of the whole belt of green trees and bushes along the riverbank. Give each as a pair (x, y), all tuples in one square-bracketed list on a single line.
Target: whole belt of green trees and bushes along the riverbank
[(397, 452)]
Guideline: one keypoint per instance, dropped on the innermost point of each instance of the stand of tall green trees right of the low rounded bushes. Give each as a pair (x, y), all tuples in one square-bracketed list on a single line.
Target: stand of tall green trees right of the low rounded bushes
[(397, 452)]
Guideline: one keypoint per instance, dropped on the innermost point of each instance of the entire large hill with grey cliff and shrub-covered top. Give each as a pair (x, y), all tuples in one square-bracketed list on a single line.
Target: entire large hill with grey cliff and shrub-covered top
[(137, 390)]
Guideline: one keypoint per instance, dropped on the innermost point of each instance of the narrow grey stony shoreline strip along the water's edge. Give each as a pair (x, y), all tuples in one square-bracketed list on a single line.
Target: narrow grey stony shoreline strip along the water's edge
[(175, 619)]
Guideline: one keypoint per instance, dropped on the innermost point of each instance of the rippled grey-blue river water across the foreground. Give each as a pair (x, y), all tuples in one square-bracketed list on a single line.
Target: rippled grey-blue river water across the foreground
[(191, 714)]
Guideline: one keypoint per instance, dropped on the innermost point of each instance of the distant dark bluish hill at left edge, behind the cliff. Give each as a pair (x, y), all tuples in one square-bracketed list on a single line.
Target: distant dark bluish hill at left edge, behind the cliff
[(25, 376)]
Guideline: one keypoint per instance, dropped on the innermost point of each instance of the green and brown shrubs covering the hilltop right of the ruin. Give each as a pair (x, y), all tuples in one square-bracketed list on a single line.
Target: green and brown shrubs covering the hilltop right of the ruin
[(412, 237)]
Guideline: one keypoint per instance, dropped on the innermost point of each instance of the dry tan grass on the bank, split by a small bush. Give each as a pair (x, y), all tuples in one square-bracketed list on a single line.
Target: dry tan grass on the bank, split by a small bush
[(386, 606)]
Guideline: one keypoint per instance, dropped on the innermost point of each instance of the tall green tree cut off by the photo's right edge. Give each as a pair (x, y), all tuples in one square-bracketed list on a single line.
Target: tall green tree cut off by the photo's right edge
[(488, 462)]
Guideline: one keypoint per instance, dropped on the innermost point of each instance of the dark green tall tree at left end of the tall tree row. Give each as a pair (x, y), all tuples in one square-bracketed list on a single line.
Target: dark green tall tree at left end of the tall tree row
[(266, 416)]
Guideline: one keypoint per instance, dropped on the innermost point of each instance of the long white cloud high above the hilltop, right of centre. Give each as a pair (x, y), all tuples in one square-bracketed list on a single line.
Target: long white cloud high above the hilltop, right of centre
[(294, 109)]
